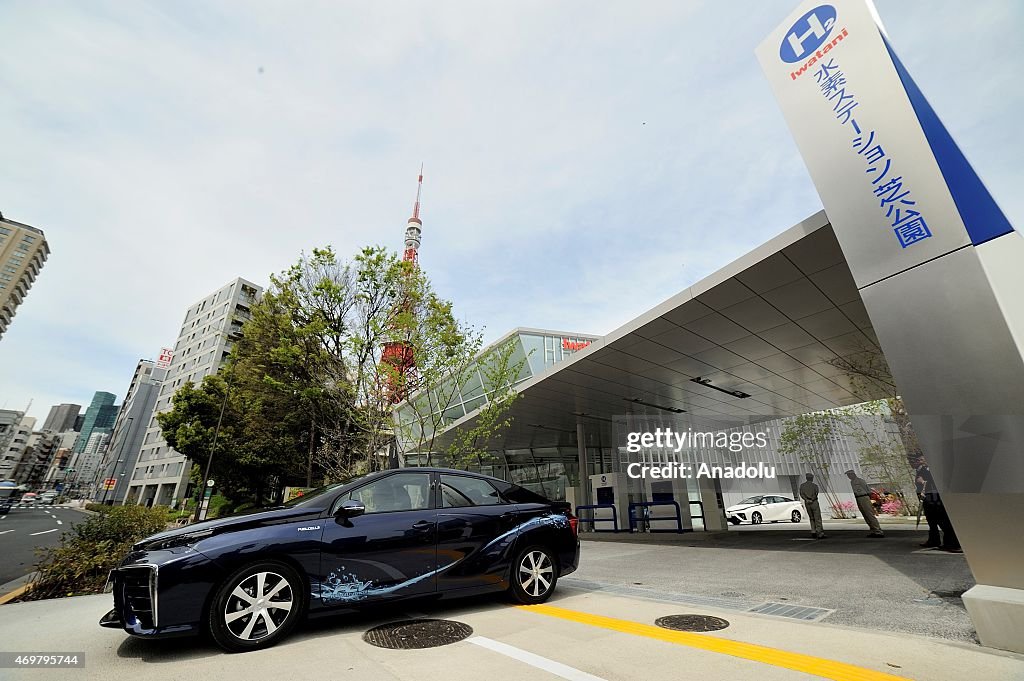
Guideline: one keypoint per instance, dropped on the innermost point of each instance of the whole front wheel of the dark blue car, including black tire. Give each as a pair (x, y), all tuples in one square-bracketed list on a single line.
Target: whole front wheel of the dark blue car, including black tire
[(257, 607)]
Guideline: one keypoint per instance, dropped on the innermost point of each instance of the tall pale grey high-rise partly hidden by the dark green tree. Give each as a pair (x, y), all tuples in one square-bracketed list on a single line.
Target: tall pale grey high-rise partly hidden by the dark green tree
[(210, 329)]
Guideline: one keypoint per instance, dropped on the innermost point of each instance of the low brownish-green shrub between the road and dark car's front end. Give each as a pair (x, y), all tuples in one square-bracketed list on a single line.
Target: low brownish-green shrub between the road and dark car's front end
[(92, 549)]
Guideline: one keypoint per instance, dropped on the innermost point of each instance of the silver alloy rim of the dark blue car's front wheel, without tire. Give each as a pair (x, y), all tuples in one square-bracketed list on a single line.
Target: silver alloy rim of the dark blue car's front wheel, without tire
[(259, 606)]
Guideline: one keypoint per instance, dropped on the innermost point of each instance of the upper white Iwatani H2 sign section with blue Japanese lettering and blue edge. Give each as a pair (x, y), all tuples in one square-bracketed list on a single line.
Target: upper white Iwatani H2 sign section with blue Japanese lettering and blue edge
[(894, 186)]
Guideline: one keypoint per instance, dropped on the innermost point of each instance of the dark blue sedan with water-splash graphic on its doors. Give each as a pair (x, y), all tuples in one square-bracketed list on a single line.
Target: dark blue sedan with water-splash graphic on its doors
[(248, 580)]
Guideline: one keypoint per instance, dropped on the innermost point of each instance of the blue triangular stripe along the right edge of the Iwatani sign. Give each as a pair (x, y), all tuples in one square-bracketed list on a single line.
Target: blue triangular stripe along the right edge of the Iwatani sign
[(983, 218)]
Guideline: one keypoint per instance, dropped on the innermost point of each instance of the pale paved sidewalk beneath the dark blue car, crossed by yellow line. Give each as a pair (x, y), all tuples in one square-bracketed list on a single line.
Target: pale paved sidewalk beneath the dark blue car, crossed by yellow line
[(590, 636)]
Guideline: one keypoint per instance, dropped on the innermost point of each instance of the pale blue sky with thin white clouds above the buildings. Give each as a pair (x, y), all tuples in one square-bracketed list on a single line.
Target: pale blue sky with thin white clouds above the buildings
[(583, 161)]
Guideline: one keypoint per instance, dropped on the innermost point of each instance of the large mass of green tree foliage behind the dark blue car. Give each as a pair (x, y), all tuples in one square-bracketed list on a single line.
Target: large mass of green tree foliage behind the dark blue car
[(307, 398)]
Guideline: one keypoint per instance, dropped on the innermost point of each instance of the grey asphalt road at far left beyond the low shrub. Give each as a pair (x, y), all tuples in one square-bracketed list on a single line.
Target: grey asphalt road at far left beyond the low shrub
[(25, 530)]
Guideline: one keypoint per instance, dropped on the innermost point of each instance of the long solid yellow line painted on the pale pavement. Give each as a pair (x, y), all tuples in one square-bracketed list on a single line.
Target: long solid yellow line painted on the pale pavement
[(828, 669)]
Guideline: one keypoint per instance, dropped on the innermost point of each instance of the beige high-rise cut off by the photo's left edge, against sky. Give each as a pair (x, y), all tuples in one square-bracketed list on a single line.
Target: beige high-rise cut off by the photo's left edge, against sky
[(23, 252)]
